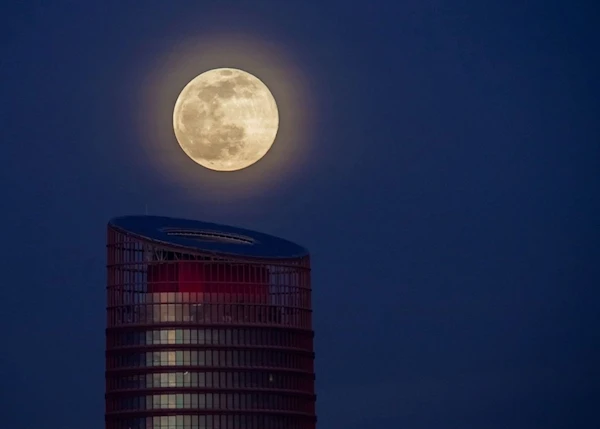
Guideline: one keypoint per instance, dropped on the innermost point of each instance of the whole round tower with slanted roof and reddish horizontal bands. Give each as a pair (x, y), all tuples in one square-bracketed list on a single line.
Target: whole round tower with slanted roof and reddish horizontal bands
[(208, 327)]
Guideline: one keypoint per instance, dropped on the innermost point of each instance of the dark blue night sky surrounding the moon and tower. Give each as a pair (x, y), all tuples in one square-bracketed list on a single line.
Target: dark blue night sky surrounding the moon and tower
[(439, 159)]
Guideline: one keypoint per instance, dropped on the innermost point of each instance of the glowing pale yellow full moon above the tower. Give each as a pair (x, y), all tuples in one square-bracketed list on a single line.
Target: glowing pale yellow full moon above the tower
[(225, 119)]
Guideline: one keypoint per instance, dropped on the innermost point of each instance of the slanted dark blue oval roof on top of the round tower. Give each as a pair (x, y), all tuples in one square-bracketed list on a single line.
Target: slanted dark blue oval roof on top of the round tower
[(210, 237)]
